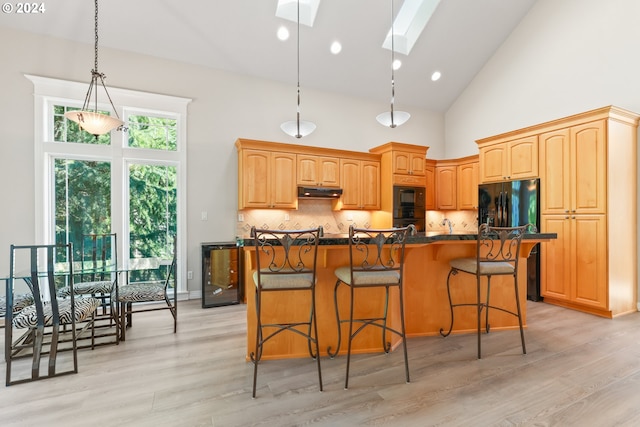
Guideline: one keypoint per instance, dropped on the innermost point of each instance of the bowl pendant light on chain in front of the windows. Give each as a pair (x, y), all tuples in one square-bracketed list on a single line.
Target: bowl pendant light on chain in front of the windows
[(90, 119)]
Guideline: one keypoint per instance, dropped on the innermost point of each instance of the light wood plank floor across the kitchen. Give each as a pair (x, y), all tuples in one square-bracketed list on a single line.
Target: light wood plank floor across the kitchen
[(580, 370)]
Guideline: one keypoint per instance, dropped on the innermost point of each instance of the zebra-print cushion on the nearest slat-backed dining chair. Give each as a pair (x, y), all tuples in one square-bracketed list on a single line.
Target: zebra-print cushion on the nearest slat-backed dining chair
[(84, 308)]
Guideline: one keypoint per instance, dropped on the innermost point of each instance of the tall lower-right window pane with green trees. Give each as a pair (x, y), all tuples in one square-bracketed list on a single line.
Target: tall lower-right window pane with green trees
[(152, 218)]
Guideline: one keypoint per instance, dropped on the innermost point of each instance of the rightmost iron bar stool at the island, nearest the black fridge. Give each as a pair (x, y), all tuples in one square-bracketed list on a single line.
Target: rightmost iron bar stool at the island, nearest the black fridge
[(497, 254)]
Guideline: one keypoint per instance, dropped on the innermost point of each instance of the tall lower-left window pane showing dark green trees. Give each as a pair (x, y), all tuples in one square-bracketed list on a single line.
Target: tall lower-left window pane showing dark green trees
[(82, 200)]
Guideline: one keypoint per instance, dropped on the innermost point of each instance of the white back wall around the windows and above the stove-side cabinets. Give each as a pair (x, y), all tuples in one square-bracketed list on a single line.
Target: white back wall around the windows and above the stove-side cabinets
[(225, 107)]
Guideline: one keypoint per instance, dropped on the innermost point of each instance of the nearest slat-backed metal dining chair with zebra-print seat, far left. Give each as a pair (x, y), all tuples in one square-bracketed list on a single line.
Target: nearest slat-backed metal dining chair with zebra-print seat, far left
[(49, 321)]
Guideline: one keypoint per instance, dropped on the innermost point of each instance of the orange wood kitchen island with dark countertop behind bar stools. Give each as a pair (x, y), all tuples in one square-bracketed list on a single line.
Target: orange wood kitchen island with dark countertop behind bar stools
[(427, 309)]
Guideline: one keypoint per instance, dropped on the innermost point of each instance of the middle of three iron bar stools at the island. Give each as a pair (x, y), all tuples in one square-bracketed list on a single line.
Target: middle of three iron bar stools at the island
[(376, 259)]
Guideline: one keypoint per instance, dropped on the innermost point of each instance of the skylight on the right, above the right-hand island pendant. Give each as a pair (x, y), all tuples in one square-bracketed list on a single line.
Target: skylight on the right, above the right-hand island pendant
[(409, 23)]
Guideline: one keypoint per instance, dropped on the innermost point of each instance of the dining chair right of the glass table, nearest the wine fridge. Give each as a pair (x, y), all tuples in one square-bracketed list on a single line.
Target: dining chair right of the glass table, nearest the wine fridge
[(138, 296)]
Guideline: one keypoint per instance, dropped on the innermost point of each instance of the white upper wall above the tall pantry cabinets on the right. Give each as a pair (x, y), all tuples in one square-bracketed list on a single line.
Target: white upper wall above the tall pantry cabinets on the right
[(565, 57)]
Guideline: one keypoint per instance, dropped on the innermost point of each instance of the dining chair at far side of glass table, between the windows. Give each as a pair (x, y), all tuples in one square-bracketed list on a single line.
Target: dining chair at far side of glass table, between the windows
[(97, 276)]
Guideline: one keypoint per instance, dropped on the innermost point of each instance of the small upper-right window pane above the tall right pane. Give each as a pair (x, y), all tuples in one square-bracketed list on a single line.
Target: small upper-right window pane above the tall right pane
[(153, 132)]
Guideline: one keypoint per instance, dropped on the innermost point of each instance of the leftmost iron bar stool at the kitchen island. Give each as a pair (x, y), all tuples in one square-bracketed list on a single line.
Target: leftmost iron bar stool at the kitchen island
[(288, 264)]
